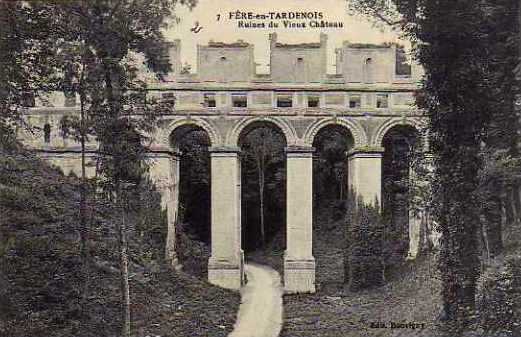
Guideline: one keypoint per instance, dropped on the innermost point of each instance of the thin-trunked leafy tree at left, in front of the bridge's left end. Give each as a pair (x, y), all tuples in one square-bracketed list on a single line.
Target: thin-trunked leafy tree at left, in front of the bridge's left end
[(102, 37)]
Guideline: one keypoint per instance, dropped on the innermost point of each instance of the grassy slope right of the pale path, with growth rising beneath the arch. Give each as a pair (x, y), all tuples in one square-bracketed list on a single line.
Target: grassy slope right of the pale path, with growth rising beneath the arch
[(333, 311)]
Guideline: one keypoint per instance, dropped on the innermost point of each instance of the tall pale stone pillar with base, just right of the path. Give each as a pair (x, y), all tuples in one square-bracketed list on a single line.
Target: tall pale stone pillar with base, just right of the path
[(299, 263)]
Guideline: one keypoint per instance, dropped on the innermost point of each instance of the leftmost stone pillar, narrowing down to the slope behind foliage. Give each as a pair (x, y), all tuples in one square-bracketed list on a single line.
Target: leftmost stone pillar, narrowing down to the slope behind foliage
[(164, 172)]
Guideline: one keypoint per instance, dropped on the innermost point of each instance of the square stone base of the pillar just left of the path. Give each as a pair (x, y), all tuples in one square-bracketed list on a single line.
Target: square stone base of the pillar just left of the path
[(226, 274)]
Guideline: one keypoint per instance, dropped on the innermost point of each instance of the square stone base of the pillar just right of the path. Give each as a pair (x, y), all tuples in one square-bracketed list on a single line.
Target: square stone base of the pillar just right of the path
[(299, 275)]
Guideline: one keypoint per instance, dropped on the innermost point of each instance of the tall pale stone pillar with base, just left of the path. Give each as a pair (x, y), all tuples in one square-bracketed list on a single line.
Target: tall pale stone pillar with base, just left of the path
[(226, 264)]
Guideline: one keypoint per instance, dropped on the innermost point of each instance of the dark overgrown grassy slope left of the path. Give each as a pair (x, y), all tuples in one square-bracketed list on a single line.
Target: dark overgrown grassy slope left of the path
[(40, 275)]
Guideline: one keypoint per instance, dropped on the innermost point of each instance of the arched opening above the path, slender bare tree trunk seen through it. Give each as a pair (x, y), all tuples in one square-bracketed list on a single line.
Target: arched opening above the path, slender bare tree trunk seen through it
[(263, 192)]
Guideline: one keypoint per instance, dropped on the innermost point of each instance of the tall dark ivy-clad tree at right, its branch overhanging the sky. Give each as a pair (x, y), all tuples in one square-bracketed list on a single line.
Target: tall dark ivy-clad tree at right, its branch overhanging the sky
[(452, 42)]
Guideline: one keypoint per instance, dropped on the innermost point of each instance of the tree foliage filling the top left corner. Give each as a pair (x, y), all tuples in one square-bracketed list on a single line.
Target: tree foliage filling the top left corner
[(26, 53)]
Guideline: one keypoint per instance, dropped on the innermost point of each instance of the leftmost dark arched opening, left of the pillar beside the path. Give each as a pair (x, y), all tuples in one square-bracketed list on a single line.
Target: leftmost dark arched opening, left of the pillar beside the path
[(193, 227)]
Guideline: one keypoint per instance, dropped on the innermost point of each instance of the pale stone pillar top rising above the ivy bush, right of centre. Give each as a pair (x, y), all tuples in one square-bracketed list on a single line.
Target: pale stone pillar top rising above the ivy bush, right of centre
[(365, 174)]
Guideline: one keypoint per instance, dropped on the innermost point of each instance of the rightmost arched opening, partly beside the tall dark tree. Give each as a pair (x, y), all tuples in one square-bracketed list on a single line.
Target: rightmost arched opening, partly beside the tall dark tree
[(400, 144)]
